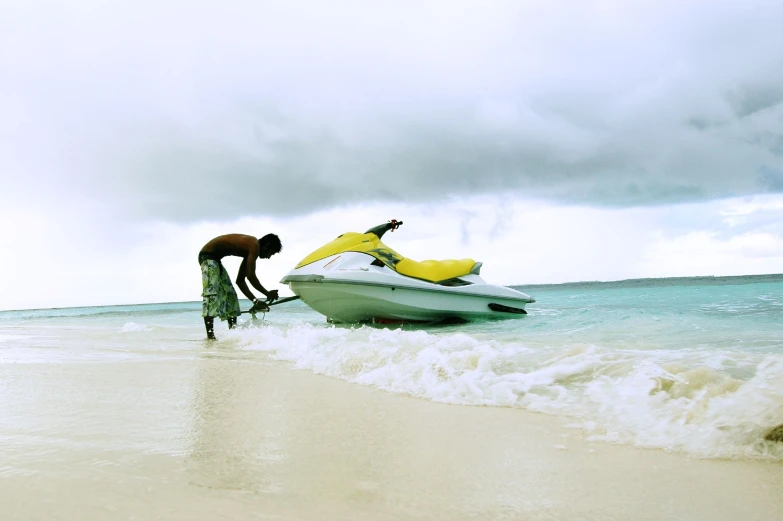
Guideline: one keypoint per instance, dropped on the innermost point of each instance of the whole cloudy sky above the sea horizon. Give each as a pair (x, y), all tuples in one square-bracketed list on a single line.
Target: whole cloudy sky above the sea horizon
[(553, 141)]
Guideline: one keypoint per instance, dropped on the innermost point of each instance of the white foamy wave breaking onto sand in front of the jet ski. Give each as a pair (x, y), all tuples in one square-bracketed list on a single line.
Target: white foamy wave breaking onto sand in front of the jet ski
[(704, 402)]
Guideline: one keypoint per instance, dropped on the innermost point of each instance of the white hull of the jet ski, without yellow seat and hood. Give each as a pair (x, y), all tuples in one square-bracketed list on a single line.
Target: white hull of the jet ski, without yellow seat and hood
[(347, 288)]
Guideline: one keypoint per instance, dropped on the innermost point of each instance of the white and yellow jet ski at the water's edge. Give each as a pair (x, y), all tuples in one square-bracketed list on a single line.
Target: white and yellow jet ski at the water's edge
[(357, 278)]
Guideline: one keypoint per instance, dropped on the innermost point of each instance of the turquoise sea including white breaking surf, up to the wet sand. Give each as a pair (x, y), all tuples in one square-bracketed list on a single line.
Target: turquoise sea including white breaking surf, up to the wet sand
[(692, 365)]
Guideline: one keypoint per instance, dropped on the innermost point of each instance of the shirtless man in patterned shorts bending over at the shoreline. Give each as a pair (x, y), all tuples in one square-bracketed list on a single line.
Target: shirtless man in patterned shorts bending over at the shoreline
[(219, 297)]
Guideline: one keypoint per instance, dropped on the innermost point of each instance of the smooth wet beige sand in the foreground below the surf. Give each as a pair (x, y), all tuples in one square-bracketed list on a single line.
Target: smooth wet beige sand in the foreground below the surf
[(233, 435)]
